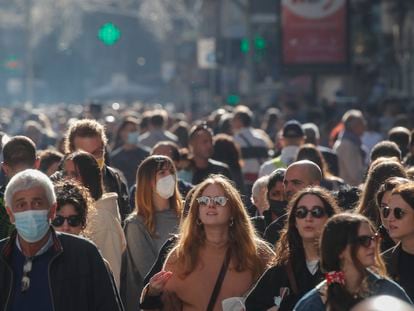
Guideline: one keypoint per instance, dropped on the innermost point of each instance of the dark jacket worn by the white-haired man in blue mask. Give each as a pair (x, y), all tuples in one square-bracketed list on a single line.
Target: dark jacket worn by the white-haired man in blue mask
[(78, 277)]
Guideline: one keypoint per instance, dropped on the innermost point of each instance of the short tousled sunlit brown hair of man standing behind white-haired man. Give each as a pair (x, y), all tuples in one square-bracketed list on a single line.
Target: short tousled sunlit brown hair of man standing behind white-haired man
[(84, 128)]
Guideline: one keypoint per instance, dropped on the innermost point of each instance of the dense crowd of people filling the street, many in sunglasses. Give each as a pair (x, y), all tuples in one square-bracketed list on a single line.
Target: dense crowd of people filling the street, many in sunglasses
[(148, 212)]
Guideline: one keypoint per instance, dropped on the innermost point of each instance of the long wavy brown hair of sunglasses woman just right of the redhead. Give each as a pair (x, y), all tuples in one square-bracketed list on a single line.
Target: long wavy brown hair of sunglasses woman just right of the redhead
[(289, 248)]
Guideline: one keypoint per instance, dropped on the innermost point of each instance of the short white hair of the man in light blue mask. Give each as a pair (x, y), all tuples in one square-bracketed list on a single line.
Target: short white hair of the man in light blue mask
[(28, 179)]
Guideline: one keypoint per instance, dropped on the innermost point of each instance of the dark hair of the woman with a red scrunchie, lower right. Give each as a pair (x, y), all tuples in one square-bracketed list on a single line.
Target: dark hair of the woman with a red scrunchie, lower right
[(339, 232)]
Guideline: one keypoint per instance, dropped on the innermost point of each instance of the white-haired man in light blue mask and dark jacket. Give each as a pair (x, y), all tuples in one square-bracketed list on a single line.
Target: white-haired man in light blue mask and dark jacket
[(44, 270)]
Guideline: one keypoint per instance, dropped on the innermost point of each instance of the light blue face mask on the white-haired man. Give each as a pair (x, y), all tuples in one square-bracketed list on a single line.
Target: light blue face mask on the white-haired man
[(32, 225)]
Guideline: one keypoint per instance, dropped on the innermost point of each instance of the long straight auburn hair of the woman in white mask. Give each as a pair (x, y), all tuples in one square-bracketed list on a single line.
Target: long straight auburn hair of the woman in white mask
[(146, 177)]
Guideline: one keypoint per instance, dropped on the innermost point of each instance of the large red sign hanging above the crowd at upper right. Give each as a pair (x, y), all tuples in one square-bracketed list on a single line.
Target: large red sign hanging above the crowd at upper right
[(314, 32)]
